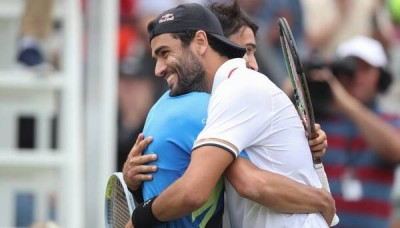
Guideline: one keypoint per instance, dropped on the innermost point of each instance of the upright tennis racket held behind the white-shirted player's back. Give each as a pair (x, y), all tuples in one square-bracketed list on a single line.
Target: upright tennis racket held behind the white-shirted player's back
[(301, 95)]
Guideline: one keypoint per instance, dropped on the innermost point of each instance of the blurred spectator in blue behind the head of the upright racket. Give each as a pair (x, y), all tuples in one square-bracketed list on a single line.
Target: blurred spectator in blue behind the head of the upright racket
[(269, 52)]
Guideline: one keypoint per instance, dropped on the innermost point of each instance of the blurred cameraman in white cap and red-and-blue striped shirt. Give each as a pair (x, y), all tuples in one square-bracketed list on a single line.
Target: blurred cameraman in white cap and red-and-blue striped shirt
[(364, 145)]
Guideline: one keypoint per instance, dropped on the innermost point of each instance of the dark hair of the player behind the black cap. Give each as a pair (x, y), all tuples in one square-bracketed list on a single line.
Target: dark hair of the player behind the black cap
[(232, 18)]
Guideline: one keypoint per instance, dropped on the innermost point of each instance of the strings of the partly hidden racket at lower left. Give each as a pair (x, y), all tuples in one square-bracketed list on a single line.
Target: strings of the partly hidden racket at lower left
[(120, 207)]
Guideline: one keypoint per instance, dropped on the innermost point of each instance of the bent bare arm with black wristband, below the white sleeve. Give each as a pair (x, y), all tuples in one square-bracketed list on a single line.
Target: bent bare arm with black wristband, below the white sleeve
[(190, 191)]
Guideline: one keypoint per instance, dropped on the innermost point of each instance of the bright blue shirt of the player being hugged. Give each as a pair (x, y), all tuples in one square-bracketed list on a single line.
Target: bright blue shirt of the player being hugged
[(174, 123)]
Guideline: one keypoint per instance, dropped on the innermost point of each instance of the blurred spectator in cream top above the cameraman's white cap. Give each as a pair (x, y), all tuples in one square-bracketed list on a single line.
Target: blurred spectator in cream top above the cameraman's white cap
[(328, 23)]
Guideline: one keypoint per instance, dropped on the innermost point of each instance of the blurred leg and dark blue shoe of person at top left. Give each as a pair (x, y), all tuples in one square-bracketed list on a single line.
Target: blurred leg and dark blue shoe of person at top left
[(36, 26)]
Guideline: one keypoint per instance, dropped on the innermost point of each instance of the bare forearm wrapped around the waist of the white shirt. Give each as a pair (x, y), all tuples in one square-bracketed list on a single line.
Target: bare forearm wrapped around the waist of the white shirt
[(278, 192)]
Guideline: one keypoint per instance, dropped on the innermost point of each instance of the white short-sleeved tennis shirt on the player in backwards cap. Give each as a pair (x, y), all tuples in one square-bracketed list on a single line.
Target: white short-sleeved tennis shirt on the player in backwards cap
[(248, 112)]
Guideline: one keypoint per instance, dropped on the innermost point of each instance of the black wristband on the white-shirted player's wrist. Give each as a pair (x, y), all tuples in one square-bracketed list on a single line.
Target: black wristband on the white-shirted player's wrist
[(143, 217)]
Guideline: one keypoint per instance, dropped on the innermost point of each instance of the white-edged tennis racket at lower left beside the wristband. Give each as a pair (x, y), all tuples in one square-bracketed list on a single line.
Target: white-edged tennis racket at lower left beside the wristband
[(119, 203)]
